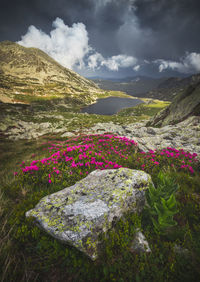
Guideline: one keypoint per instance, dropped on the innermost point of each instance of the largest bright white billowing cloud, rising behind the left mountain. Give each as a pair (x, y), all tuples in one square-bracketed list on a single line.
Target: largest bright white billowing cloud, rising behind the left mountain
[(67, 45)]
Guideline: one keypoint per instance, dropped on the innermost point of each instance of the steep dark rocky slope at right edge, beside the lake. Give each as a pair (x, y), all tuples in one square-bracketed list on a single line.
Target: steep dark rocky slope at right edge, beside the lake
[(184, 105)]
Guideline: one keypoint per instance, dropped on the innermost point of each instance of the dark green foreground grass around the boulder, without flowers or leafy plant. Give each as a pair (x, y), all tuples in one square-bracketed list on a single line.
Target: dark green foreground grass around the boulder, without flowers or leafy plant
[(29, 254)]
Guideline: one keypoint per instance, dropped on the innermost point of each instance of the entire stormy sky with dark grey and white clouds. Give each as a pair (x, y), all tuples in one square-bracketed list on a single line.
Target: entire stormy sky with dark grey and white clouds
[(109, 38)]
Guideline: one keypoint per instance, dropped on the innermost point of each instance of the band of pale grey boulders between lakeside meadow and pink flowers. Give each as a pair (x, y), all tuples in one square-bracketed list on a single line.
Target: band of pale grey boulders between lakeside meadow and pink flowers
[(185, 134)]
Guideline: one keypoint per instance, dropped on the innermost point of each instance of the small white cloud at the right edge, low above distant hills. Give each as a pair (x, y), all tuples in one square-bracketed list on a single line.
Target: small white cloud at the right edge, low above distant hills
[(190, 63)]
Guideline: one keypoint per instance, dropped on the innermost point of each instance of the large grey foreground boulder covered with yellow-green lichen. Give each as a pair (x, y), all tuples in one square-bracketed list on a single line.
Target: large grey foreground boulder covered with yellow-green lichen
[(78, 214)]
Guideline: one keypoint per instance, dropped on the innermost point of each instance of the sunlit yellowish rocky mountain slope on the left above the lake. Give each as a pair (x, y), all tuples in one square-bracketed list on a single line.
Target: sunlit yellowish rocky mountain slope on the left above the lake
[(29, 73)]
